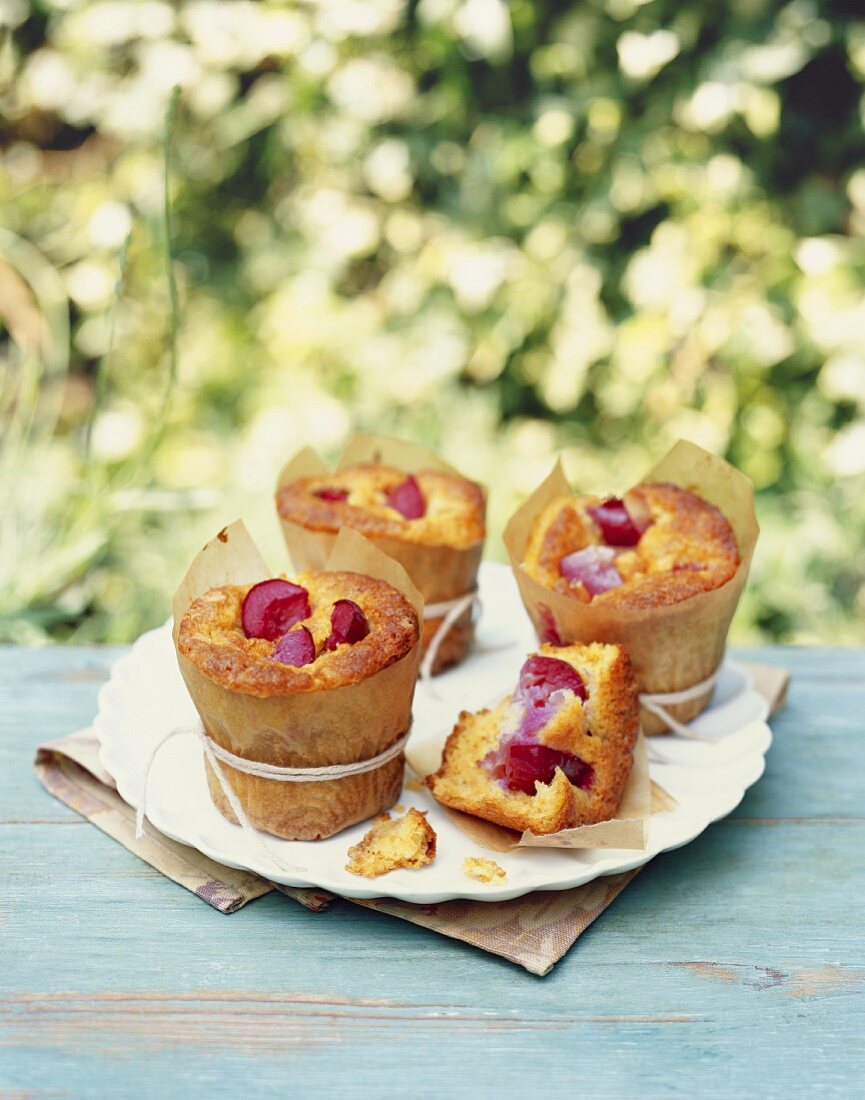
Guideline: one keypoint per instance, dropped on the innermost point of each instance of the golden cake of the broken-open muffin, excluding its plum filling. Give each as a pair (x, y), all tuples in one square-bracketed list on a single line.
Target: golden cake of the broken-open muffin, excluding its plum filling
[(600, 731)]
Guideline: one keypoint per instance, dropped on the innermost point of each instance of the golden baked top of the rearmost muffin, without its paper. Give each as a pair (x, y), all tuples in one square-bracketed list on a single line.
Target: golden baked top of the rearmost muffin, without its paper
[(432, 507)]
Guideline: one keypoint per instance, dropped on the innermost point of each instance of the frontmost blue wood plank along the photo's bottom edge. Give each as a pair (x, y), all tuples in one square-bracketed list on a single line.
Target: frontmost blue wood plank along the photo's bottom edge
[(729, 1048)]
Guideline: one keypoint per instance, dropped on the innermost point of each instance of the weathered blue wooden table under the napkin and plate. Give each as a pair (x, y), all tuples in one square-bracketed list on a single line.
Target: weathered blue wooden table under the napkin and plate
[(735, 967)]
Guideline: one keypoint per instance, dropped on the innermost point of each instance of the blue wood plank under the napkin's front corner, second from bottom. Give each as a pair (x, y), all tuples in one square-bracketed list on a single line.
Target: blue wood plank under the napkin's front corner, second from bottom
[(739, 896)]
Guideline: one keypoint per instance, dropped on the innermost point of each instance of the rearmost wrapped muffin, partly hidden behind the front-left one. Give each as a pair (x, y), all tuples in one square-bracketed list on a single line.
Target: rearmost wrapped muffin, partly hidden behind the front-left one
[(422, 514)]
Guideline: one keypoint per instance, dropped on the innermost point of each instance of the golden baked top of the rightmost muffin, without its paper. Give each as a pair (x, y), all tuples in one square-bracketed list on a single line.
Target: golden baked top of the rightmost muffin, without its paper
[(659, 545)]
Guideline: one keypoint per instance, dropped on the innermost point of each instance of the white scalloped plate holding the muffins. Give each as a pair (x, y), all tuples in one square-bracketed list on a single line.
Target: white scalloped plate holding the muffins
[(146, 698)]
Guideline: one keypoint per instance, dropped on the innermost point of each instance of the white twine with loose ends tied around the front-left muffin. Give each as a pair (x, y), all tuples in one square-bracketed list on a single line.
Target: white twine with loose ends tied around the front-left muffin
[(216, 753)]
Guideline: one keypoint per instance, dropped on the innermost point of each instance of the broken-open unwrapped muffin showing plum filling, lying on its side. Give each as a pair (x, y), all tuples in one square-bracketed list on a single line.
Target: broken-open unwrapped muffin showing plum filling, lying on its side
[(554, 755)]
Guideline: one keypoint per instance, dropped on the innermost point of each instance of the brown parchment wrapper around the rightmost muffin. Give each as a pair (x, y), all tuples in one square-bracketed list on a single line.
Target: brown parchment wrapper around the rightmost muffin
[(671, 647)]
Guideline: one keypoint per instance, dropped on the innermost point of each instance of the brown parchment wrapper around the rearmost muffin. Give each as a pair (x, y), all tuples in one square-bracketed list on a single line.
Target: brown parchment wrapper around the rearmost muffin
[(440, 573)]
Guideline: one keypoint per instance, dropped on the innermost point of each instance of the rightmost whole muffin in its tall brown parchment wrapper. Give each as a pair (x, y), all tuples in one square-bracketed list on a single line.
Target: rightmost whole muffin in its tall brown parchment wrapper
[(659, 571)]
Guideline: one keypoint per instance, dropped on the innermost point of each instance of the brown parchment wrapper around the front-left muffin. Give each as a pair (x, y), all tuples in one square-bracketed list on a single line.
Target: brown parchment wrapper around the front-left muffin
[(309, 730)]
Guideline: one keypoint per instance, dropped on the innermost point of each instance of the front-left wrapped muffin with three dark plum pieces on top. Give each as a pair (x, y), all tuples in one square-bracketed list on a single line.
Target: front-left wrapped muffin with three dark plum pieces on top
[(311, 673)]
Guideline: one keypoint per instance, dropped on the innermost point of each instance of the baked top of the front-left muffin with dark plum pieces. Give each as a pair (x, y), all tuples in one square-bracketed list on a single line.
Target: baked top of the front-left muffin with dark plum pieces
[(379, 630)]
